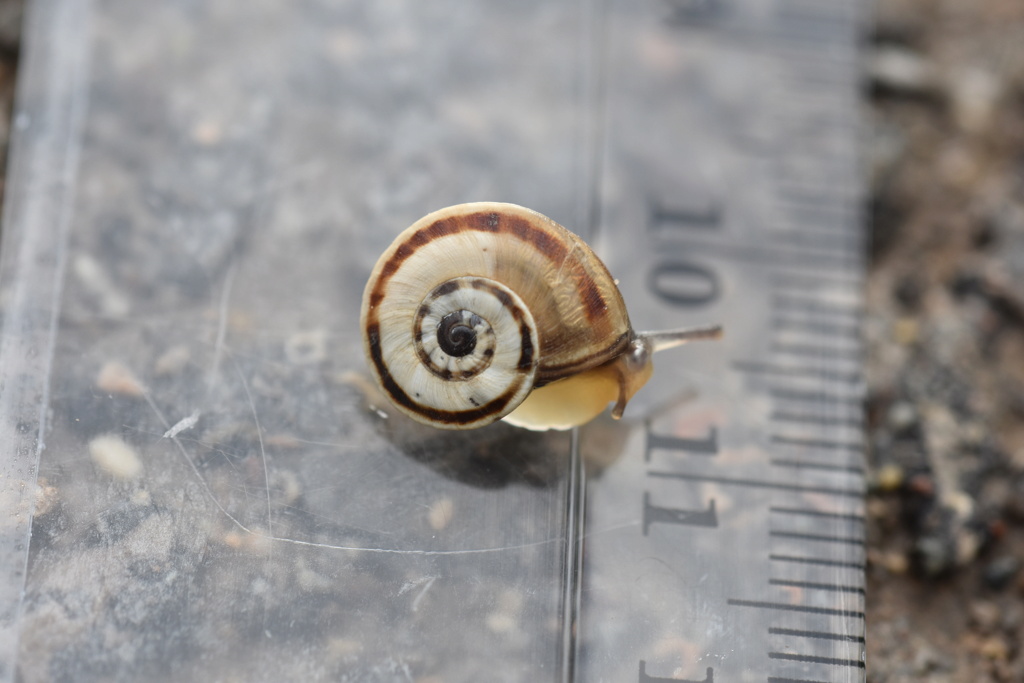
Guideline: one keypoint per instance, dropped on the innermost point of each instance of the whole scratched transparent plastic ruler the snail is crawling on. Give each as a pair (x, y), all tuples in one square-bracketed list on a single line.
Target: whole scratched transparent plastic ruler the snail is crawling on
[(199, 484)]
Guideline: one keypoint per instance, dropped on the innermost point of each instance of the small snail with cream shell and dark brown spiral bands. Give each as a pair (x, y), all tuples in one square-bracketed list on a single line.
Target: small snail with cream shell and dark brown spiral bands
[(489, 311)]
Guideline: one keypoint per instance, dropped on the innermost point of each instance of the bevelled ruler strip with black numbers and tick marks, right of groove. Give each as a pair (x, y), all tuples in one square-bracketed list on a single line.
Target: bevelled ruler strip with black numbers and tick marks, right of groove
[(727, 542)]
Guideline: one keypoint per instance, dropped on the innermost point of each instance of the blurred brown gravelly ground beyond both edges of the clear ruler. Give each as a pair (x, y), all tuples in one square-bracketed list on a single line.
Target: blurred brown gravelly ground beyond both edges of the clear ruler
[(945, 332)]
